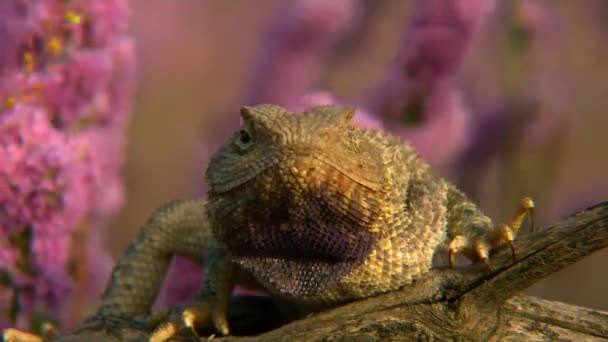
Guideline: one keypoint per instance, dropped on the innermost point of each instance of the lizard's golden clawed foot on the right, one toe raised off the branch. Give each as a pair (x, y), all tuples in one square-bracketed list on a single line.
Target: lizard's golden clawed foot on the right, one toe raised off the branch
[(480, 247)]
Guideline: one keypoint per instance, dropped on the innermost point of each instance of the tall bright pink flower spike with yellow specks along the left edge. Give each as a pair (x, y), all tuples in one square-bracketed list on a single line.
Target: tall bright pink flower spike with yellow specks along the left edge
[(66, 80)]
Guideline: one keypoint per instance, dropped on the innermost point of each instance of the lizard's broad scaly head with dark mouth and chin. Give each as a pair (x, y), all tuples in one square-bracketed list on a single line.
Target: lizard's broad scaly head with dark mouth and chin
[(297, 197)]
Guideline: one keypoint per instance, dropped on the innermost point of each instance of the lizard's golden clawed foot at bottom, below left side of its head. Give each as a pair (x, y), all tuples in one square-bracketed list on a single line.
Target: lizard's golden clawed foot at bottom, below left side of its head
[(201, 311)]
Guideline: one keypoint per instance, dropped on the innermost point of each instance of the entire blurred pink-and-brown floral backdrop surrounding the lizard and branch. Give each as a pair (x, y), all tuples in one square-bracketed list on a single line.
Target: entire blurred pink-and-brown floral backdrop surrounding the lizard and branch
[(108, 109)]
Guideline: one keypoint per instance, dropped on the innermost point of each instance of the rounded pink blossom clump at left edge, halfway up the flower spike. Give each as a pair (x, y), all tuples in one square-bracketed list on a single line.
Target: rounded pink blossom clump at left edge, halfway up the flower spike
[(43, 175)]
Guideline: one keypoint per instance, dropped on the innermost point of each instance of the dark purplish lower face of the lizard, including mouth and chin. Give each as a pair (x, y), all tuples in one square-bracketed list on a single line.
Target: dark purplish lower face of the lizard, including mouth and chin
[(296, 252)]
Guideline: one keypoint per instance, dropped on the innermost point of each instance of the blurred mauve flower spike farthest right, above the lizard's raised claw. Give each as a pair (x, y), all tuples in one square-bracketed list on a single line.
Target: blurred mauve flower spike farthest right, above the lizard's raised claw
[(530, 117)]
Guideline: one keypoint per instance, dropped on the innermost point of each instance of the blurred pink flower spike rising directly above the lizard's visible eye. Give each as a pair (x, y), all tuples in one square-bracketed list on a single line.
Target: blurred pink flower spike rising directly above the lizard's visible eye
[(291, 59)]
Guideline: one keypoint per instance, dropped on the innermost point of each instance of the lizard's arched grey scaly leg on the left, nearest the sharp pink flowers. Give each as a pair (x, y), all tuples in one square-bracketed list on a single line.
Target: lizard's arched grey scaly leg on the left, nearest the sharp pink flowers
[(179, 227)]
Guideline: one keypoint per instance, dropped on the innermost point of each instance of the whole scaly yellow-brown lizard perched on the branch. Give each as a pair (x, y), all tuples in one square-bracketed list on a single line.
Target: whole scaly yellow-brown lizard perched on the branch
[(312, 209)]
